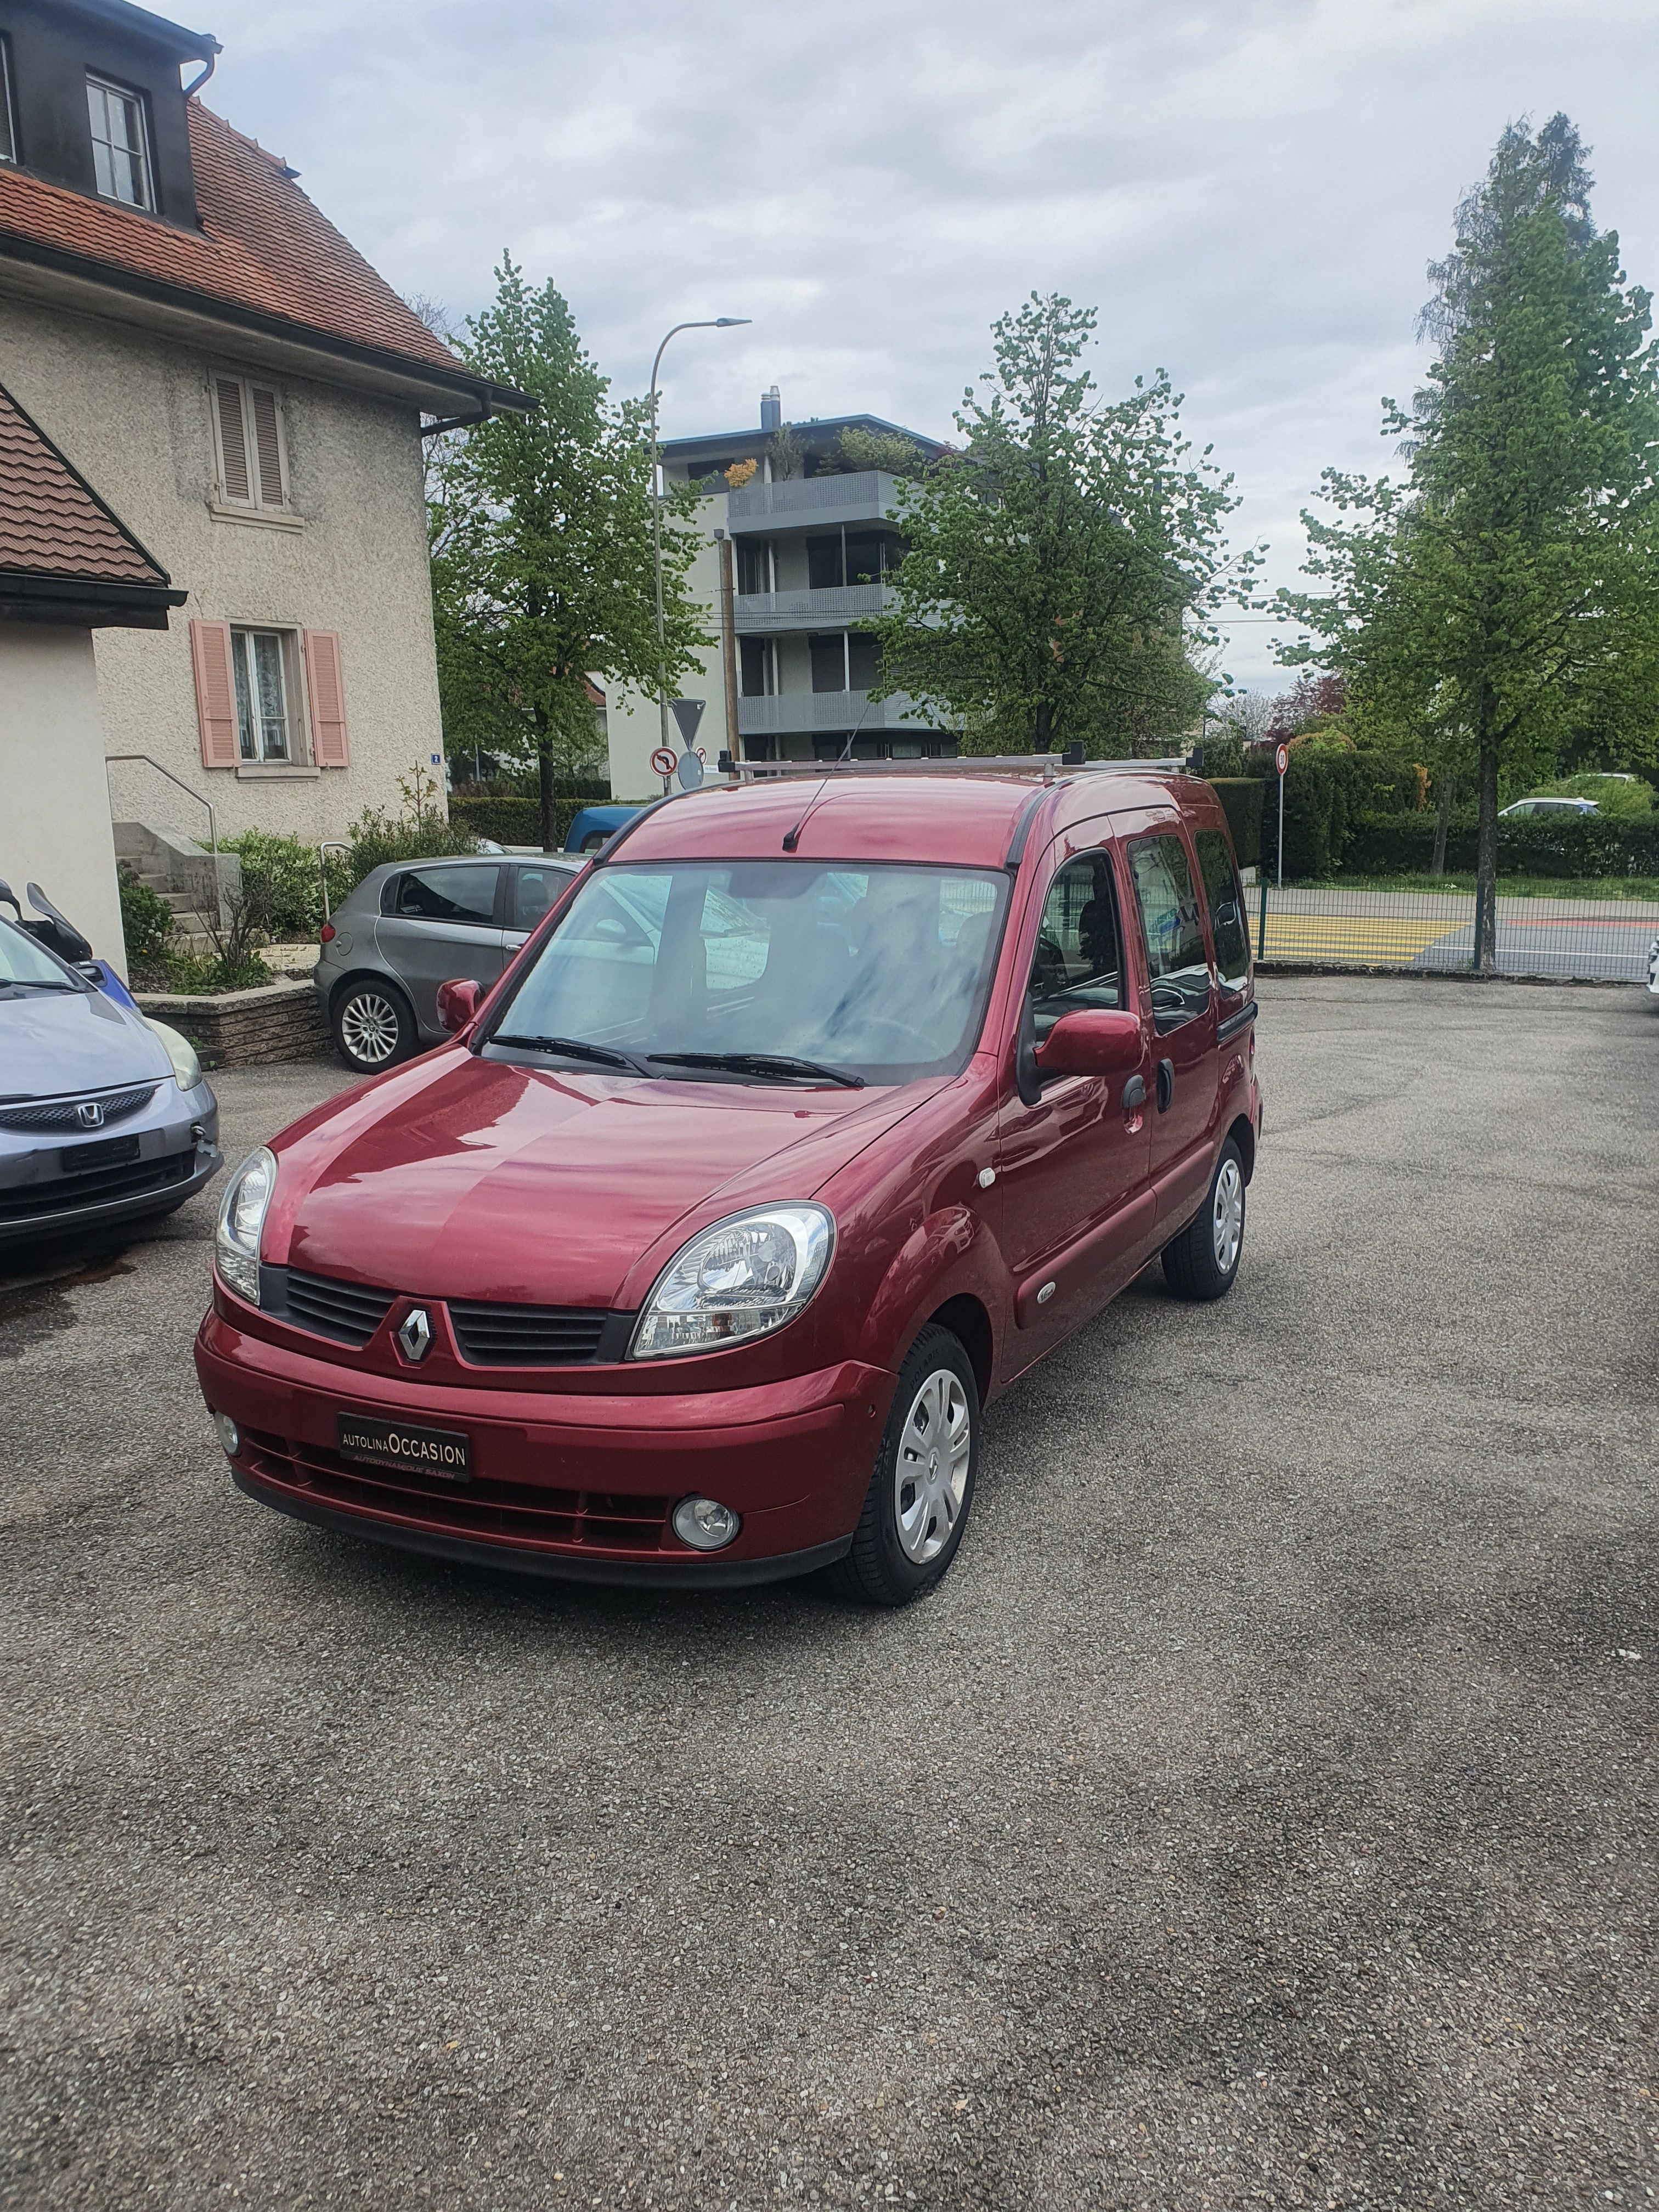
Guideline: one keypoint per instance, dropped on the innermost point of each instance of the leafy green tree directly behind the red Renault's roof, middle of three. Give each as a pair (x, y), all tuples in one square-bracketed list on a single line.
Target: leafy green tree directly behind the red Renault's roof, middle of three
[(1058, 572)]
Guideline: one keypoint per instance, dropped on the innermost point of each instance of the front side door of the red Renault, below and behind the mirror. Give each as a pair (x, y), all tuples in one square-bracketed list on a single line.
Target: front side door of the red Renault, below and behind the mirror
[(1072, 1151)]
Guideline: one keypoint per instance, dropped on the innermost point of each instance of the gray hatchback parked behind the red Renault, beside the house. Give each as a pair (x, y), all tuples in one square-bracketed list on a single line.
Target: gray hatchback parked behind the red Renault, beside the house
[(410, 928)]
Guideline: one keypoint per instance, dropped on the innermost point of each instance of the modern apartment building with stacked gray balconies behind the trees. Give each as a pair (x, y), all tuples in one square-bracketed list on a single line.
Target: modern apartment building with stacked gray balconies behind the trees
[(811, 554)]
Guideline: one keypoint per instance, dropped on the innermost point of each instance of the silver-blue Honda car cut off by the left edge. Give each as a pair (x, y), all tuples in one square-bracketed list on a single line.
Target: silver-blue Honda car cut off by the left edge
[(105, 1118)]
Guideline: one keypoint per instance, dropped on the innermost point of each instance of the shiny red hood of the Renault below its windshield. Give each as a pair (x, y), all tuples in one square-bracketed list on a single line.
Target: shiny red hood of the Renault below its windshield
[(468, 1178)]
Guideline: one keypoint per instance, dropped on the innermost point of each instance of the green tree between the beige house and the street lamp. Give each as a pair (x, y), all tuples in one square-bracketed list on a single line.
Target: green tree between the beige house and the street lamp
[(541, 547)]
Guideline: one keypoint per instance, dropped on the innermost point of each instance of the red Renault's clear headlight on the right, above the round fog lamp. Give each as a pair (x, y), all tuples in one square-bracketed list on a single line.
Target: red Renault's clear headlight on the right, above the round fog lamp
[(740, 1280)]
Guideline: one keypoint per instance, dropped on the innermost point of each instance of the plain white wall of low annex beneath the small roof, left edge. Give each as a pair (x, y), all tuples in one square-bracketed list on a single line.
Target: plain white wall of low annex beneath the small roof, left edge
[(54, 811)]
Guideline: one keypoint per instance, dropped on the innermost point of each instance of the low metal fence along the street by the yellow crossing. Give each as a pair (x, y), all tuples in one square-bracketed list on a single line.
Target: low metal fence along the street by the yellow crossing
[(1576, 939)]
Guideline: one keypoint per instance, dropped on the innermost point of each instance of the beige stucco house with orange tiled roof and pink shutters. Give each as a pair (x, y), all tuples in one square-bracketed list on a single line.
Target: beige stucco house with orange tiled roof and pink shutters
[(211, 388)]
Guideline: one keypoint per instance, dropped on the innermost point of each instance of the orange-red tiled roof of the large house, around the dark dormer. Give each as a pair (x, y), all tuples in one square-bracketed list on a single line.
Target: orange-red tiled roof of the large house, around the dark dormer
[(262, 247)]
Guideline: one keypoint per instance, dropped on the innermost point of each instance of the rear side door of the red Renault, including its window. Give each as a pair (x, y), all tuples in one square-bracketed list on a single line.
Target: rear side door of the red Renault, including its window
[(1185, 1021)]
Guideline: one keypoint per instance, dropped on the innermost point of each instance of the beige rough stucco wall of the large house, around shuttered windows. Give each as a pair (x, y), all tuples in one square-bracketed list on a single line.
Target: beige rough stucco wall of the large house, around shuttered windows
[(132, 410)]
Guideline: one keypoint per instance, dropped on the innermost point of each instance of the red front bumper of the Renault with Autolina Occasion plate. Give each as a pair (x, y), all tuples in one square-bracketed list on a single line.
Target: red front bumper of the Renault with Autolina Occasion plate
[(565, 1483)]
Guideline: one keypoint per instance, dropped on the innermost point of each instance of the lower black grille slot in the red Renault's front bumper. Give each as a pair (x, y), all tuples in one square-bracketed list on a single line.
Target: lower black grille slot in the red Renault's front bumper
[(528, 1512)]
